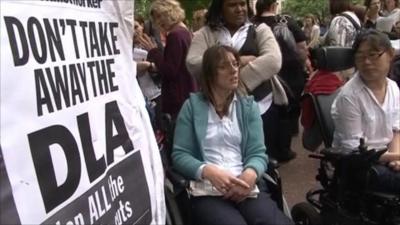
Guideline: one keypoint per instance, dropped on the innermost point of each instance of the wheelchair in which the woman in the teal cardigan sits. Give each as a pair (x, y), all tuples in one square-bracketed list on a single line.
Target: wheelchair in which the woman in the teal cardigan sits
[(176, 196)]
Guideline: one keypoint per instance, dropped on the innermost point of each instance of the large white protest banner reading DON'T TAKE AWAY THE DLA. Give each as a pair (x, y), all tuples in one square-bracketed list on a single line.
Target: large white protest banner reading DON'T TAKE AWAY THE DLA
[(77, 146)]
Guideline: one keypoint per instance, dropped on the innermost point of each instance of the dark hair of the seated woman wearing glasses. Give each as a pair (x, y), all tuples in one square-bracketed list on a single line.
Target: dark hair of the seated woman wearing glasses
[(376, 39)]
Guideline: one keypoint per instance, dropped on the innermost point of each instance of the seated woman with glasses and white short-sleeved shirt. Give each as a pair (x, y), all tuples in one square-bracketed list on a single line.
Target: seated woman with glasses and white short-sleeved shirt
[(368, 107)]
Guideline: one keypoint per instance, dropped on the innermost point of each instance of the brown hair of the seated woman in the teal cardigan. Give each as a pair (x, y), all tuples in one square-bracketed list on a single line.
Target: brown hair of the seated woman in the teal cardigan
[(211, 59)]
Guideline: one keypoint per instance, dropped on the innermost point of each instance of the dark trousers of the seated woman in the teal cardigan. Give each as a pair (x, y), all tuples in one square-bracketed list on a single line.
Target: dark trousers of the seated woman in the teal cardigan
[(211, 210)]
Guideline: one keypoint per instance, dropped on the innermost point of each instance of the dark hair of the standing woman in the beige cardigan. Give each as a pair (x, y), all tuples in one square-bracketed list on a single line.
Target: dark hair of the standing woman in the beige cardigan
[(214, 17)]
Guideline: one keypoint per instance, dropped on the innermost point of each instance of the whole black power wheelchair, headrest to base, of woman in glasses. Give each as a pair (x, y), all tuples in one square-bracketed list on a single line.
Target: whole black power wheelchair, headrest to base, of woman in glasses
[(344, 175)]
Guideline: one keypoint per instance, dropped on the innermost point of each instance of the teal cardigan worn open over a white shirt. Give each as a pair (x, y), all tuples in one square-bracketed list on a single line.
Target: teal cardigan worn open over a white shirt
[(191, 128)]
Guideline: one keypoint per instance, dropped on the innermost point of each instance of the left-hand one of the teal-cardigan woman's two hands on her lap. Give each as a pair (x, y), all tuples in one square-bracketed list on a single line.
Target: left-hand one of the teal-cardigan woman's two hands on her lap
[(221, 179)]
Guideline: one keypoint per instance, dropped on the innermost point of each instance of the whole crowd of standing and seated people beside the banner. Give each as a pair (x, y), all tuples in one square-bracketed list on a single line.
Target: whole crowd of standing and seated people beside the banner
[(233, 90)]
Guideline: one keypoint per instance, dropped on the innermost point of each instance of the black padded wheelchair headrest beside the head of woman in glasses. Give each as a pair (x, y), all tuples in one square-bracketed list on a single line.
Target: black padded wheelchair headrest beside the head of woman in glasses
[(332, 58)]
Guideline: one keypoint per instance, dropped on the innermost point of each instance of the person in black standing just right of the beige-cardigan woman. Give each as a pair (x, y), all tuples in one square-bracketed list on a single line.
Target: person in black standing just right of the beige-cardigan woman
[(284, 121)]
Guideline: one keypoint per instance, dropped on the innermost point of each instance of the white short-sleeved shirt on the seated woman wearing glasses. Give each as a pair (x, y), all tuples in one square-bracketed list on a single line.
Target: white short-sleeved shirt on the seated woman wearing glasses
[(357, 114)]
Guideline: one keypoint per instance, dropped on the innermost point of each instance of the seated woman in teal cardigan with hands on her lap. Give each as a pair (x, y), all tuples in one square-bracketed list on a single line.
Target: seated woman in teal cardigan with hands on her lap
[(219, 143)]
